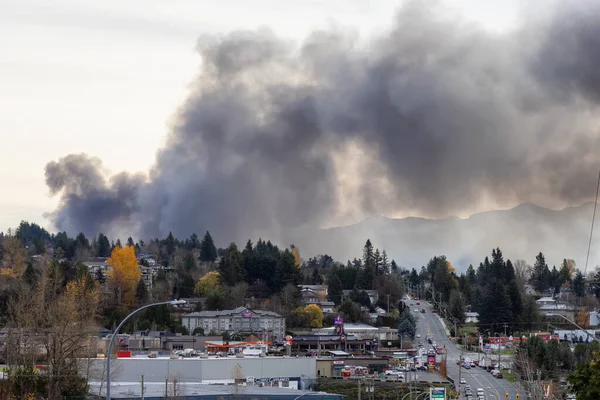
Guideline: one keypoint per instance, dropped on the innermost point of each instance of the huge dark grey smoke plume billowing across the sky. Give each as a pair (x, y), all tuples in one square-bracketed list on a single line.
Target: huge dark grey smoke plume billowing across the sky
[(433, 118)]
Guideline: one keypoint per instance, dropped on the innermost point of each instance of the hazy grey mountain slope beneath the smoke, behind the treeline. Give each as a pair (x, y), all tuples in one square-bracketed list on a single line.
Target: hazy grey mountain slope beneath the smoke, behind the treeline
[(520, 232)]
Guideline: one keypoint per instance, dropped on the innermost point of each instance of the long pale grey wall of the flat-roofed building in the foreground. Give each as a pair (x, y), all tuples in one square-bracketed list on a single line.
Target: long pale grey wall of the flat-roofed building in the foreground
[(198, 370)]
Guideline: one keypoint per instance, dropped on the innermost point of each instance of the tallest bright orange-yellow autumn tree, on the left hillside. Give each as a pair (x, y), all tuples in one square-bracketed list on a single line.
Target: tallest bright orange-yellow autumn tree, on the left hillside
[(124, 274)]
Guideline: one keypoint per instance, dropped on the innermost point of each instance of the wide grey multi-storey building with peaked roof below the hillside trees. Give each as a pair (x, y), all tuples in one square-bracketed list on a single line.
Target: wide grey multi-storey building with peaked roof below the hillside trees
[(266, 324)]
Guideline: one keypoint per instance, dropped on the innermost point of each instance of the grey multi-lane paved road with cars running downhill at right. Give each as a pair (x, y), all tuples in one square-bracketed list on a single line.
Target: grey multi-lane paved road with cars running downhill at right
[(430, 324)]
